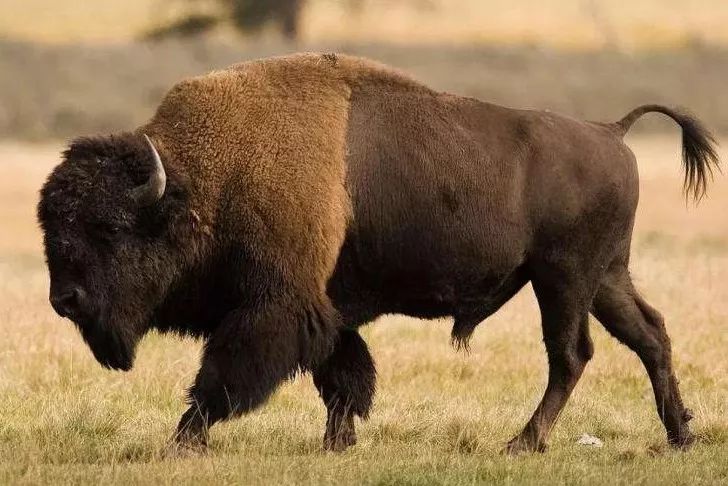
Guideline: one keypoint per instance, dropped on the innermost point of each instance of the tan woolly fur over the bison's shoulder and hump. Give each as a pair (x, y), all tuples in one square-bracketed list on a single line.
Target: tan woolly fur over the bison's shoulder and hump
[(268, 137)]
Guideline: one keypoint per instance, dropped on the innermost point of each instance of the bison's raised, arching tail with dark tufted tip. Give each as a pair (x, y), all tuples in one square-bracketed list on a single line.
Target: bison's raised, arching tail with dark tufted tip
[(699, 146)]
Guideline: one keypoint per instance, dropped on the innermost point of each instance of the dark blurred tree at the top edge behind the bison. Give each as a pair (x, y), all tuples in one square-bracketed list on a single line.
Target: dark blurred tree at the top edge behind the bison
[(246, 15)]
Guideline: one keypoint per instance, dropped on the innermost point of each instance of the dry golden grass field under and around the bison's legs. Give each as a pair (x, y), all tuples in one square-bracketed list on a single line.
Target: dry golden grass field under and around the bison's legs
[(439, 416)]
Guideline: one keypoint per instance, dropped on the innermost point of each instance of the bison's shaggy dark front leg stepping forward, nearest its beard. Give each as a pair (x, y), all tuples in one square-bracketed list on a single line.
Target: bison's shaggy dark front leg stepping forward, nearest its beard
[(252, 352)]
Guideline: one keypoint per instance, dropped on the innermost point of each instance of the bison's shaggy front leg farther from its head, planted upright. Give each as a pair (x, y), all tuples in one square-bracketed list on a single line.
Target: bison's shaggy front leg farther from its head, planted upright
[(346, 383)]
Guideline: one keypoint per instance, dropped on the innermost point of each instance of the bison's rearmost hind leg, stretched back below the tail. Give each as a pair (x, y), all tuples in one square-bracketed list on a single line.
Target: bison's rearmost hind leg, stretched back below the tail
[(632, 321)]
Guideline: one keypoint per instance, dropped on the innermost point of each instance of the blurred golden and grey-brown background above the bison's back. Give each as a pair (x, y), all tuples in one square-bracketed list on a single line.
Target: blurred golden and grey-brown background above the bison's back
[(71, 67)]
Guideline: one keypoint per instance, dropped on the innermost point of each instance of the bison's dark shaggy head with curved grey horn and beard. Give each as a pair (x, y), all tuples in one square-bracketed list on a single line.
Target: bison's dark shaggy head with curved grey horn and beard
[(107, 241)]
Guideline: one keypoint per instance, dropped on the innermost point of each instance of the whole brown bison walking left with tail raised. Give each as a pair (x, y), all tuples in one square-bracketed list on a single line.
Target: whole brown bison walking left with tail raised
[(274, 207)]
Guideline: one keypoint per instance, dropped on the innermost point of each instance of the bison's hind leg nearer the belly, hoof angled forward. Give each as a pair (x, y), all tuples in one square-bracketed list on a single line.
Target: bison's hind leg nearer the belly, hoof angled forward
[(564, 312)]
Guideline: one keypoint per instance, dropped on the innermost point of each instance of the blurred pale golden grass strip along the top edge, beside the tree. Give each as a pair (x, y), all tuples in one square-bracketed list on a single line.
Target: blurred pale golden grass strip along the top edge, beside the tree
[(561, 23)]
